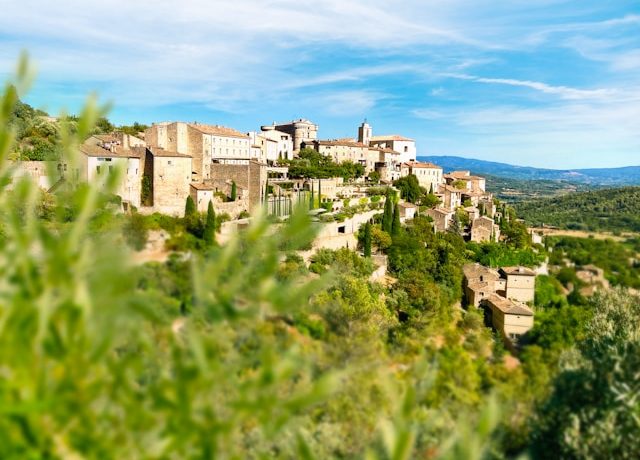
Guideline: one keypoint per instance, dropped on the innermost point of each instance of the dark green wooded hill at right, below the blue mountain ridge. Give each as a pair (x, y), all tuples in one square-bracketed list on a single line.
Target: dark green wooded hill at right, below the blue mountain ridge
[(608, 209)]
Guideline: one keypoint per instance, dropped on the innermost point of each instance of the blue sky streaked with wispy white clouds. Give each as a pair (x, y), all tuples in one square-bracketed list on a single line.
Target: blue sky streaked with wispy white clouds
[(543, 83)]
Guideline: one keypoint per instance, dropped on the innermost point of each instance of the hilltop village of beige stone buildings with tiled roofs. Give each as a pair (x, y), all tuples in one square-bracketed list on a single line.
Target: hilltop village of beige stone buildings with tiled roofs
[(272, 169)]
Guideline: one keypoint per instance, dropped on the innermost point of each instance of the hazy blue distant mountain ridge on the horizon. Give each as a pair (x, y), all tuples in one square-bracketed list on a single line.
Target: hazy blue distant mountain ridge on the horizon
[(629, 175)]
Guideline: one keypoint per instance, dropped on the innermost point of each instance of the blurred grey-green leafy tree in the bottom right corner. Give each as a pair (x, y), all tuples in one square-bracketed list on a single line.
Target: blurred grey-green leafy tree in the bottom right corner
[(593, 410)]
